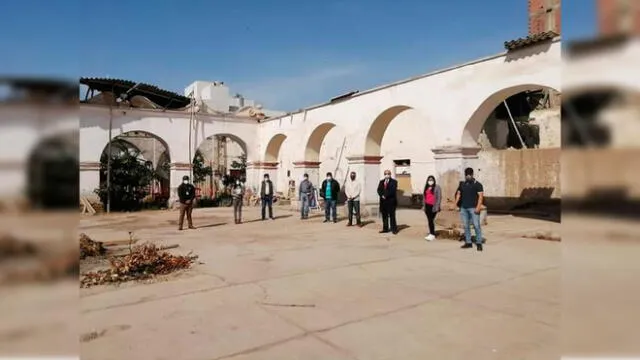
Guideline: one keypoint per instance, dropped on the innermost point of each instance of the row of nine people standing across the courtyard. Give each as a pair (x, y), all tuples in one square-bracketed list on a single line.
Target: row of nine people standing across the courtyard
[(469, 198)]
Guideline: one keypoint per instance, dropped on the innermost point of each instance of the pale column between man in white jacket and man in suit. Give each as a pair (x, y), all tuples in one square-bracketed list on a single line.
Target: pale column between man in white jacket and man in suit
[(367, 169)]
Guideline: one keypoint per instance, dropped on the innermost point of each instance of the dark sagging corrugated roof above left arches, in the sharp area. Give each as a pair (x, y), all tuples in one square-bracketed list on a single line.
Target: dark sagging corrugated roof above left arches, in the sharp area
[(164, 98)]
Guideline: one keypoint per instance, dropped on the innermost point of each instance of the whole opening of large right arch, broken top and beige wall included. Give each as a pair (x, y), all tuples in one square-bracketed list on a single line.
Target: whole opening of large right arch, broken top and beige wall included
[(519, 160)]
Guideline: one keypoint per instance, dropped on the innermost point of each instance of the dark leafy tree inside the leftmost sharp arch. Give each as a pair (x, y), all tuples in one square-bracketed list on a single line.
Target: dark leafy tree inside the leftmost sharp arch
[(130, 180)]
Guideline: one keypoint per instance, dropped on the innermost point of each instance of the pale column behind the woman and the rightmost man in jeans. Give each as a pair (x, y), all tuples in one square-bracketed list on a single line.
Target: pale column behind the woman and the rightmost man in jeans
[(450, 164)]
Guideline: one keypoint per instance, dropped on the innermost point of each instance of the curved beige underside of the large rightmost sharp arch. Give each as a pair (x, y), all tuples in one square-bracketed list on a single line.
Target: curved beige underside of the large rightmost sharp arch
[(476, 121)]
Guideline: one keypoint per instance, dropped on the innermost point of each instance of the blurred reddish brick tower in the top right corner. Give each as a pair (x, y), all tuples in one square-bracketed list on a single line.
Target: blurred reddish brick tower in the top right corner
[(619, 17)]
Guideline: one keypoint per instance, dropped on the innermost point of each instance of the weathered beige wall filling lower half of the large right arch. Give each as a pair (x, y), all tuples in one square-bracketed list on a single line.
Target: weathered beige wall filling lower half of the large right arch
[(514, 176)]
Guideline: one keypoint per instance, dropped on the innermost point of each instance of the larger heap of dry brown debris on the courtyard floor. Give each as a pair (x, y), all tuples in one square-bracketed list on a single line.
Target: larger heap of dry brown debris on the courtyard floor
[(145, 261)]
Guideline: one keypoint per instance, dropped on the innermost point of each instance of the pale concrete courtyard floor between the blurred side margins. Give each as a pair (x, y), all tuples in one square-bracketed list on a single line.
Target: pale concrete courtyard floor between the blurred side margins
[(287, 289)]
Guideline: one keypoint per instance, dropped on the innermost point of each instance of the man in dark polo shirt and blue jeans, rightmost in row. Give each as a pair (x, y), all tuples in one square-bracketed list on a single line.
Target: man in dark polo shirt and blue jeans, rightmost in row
[(469, 198)]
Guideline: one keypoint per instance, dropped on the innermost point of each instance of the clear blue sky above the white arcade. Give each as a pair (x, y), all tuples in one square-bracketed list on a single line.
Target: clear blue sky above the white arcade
[(287, 54)]
